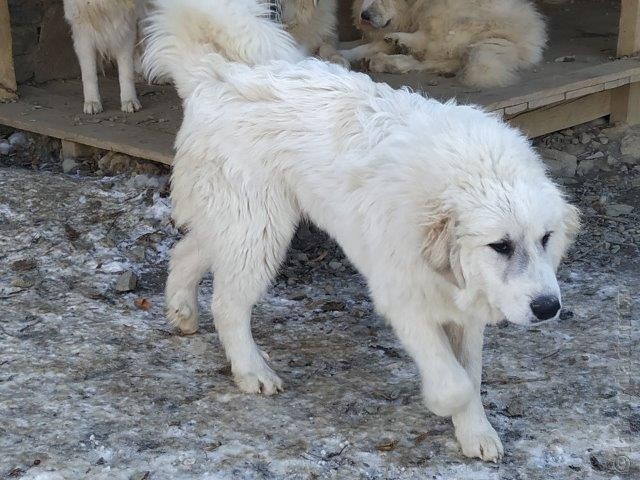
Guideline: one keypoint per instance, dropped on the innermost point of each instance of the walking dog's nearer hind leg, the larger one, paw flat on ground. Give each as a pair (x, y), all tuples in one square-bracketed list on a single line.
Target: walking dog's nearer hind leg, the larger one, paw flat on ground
[(249, 251)]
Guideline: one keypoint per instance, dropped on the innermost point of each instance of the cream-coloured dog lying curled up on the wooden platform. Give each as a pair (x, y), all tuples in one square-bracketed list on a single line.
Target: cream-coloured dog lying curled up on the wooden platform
[(485, 41)]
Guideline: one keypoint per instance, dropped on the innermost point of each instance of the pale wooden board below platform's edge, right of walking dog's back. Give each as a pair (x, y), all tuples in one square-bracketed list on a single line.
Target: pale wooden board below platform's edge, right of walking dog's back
[(568, 113)]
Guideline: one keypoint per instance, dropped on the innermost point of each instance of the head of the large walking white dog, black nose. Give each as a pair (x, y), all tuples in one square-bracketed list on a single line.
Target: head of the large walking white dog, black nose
[(500, 239)]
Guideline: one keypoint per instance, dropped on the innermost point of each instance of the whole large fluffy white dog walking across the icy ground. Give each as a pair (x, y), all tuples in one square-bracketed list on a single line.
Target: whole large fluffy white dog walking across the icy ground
[(444, 209)]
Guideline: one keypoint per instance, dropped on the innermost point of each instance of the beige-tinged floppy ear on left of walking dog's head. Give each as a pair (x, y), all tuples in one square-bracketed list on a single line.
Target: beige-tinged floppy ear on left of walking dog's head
[(440, 248)]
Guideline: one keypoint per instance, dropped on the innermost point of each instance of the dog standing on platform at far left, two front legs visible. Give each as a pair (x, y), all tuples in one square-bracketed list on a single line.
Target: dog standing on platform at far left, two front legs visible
[(105, 28)]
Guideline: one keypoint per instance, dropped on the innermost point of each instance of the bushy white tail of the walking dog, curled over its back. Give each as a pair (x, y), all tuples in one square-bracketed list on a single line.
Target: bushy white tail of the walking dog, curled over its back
[(191, 41)]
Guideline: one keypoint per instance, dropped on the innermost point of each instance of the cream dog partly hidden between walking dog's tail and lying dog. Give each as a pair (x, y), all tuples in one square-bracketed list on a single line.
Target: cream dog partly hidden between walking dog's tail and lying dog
[(313, 24)]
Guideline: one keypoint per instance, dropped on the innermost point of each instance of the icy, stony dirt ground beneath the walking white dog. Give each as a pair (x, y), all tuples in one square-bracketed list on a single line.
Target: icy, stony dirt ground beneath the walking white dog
[(94, 384)]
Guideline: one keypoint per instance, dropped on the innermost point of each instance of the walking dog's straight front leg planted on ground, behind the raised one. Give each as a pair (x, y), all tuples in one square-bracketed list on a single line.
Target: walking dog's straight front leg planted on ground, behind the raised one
[(474, 432)]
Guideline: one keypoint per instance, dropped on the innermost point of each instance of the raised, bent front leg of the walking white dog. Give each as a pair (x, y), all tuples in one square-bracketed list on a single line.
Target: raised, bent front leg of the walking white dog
[(446, 385)]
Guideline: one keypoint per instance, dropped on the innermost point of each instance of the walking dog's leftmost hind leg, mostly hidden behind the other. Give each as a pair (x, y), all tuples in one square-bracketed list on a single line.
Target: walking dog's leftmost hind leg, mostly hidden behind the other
[(189, 261)]
